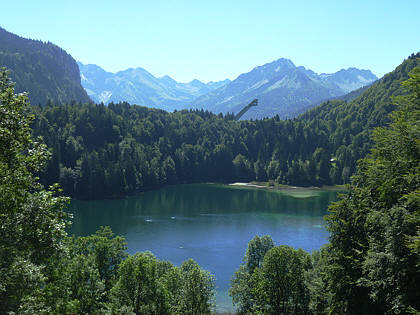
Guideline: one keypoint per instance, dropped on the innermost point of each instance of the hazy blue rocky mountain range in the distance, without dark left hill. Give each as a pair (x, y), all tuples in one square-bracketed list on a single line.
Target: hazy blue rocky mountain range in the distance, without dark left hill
[(282, 89)]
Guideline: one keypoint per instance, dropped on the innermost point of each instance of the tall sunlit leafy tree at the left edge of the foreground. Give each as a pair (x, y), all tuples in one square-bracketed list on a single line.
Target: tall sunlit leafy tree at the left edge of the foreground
[(32, 220)]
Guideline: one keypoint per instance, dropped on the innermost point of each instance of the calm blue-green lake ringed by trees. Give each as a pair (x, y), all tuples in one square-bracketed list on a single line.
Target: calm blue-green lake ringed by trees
[(210, 223)]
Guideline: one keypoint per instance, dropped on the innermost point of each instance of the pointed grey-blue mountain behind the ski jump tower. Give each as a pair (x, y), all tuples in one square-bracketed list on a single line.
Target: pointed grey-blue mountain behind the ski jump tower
[(282, 89)]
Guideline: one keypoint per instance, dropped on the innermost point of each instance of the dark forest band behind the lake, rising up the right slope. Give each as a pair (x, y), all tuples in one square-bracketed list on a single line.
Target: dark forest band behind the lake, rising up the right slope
[(107, 152)]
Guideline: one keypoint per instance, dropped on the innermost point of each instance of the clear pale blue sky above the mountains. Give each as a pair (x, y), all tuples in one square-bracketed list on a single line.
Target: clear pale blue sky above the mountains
[(214, 40)]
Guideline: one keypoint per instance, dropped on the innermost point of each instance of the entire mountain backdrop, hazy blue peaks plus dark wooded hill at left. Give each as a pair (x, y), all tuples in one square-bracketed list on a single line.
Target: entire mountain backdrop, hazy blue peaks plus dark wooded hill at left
[(49, 74)]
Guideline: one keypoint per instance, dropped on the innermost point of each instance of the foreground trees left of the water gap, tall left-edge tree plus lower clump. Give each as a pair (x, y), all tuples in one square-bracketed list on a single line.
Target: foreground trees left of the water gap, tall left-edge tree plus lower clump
[(43, 271)]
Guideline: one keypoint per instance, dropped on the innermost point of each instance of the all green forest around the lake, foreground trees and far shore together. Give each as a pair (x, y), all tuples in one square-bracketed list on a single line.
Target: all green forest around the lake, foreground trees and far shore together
[(370, 265)]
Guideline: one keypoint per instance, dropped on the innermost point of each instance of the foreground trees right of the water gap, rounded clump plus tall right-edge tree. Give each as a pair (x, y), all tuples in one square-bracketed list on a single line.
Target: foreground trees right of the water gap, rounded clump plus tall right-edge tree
[(371, 264)]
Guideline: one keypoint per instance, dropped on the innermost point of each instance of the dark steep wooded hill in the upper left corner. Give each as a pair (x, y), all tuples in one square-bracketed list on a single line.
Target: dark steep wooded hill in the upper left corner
[(44, 70)]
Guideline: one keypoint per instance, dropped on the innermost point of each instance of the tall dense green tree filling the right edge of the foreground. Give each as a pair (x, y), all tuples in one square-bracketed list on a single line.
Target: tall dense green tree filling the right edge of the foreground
[(373, 261)]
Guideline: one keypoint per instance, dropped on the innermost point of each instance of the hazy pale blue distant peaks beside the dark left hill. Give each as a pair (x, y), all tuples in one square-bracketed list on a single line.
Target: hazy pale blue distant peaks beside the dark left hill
[(137, 86)]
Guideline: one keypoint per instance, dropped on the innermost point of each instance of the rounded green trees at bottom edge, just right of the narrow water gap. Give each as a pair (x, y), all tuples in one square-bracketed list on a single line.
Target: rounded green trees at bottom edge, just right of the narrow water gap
[(271, 280)]
